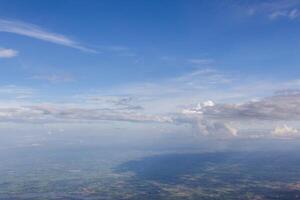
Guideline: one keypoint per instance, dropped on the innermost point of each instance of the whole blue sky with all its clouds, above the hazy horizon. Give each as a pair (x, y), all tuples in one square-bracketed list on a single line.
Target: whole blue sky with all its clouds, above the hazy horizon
[(220, 69)]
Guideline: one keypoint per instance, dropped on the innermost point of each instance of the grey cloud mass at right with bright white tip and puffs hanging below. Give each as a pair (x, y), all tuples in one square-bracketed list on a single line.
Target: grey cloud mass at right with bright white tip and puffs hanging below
[(217, 119)]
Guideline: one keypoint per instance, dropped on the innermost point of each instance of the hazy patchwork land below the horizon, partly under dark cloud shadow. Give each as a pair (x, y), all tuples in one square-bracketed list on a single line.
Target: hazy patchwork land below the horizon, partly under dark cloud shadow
[(95, 173)]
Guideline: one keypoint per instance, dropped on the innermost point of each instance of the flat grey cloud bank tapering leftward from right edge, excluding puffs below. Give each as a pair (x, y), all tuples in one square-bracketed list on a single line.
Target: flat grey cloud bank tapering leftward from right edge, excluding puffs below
[(279, 107)]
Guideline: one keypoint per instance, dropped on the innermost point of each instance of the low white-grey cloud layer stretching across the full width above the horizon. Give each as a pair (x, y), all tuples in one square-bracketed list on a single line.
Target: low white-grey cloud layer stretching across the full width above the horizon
[(207, 118)]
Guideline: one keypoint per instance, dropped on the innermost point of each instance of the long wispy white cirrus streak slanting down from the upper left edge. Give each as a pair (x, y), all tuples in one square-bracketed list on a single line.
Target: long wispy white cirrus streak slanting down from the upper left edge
[(34, 31)]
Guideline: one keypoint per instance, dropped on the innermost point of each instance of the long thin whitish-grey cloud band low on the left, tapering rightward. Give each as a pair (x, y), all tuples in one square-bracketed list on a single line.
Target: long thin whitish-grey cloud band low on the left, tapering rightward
[(47, 113)]
